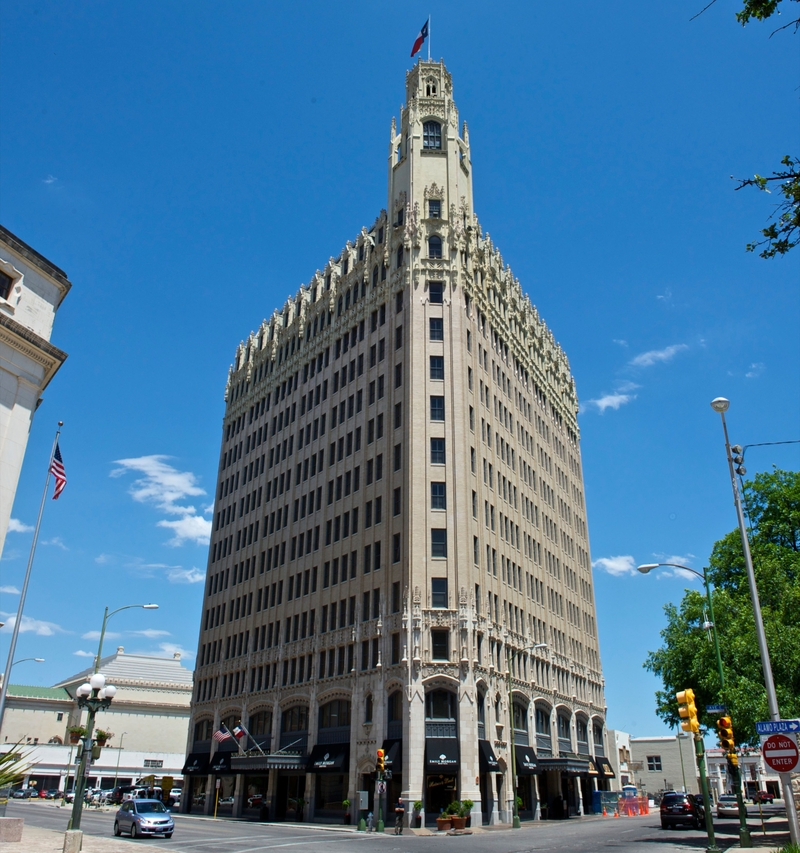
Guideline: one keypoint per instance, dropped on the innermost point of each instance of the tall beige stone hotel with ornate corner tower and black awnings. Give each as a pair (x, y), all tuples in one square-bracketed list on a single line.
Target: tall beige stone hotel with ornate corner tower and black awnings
[(399, 519)]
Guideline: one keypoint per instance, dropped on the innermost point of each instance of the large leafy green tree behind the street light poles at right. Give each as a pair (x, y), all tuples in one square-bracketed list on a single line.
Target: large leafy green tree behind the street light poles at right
[(686, 658)]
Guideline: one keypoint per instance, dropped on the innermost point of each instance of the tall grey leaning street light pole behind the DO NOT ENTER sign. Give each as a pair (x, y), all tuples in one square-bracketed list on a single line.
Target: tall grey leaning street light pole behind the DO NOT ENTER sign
[(720, 405)]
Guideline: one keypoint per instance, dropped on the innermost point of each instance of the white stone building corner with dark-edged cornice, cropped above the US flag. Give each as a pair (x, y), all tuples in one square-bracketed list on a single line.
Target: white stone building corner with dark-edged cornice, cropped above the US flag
[(31, 290)]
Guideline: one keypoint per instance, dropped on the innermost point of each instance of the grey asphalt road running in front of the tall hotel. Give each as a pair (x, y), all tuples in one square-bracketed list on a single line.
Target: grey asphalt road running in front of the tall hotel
[(195, 834)]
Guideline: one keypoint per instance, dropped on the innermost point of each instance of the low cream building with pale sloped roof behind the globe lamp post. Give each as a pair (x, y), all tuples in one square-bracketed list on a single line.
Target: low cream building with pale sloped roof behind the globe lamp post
[(149, 719)]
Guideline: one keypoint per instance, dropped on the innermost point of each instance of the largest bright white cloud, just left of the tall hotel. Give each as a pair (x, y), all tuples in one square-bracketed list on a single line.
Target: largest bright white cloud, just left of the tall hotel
[(164, 486)]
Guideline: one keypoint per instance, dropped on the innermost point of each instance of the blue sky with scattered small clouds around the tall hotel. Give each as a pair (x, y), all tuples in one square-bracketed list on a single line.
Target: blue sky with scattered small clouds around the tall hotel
[(191, 164)]
